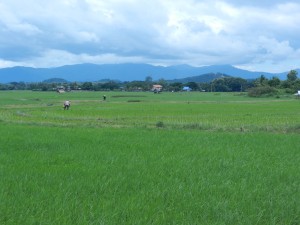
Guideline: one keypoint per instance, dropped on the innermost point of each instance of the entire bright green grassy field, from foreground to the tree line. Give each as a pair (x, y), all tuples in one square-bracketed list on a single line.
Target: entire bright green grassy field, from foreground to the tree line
[(144, 158)]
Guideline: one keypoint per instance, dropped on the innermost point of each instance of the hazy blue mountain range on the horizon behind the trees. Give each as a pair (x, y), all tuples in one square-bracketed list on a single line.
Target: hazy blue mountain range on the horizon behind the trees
[(125, 72)]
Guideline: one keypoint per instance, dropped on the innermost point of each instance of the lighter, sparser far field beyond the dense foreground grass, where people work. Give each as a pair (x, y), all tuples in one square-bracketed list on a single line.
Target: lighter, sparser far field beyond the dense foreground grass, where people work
[(203, 111)]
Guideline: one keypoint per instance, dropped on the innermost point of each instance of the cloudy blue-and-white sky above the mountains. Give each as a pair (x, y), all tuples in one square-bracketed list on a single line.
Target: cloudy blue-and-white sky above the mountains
[(258, 35)]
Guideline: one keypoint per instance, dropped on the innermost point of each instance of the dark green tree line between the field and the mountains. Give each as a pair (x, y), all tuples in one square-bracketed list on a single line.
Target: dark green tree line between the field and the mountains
[(256, 87)]
